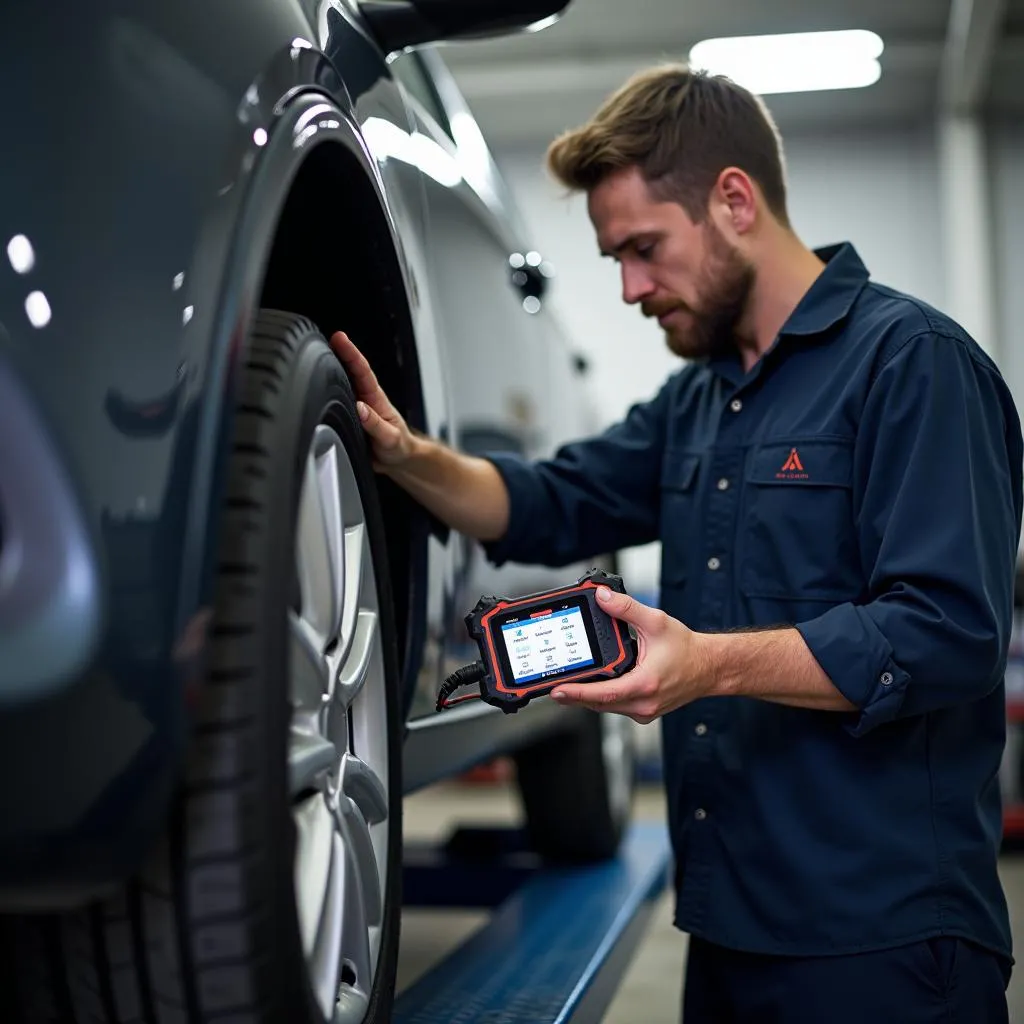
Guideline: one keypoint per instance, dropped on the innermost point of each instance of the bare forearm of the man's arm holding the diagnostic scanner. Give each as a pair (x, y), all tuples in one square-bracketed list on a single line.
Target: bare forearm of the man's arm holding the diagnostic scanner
[(774, 665)]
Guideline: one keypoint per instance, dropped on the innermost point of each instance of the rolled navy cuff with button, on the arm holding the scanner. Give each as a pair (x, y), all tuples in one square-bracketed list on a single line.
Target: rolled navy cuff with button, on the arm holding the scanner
[(859, 660)]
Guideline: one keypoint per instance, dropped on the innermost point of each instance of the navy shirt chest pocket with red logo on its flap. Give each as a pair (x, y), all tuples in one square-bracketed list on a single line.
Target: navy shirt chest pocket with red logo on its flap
[(798, 534)]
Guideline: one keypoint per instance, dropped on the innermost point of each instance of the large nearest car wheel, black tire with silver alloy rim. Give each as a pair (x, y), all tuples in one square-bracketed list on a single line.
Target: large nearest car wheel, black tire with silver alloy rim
[(217, 929)]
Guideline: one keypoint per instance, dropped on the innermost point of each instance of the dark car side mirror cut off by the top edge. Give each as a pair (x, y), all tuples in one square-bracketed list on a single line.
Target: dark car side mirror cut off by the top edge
[(401, 24)]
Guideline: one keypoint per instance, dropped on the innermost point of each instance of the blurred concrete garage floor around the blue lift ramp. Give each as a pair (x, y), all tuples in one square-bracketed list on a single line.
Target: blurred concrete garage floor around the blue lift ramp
[(652, 990)]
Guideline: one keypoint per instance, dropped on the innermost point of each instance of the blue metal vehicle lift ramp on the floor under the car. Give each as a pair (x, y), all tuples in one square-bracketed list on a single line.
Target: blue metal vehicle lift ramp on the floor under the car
[(559, 943)]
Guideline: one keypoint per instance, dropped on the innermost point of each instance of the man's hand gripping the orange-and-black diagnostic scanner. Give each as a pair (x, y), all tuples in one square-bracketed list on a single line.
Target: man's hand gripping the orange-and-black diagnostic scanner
[(672, 669)]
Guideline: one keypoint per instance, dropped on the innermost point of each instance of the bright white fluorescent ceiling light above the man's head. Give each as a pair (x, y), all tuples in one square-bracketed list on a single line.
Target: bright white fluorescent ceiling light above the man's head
[(800, 62)]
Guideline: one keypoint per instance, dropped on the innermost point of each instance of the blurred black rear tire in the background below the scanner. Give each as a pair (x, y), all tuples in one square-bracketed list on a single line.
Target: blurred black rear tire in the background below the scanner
[(577, 790)]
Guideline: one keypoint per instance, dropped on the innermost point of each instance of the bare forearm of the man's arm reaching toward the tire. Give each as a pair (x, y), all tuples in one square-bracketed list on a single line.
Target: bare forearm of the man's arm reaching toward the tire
[(466, 493)]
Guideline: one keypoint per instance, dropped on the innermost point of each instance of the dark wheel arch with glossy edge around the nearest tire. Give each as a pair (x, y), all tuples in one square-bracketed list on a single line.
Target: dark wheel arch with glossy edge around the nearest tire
[(316, 195)]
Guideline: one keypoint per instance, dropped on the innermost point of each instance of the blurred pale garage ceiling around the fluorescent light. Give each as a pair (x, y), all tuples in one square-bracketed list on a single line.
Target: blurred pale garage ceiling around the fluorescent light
[(527, 89)]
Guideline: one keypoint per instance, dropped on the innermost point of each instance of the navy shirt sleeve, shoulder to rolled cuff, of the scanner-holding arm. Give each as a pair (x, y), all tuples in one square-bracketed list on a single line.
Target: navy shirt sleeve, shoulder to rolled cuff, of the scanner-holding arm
[(938, 513)]
